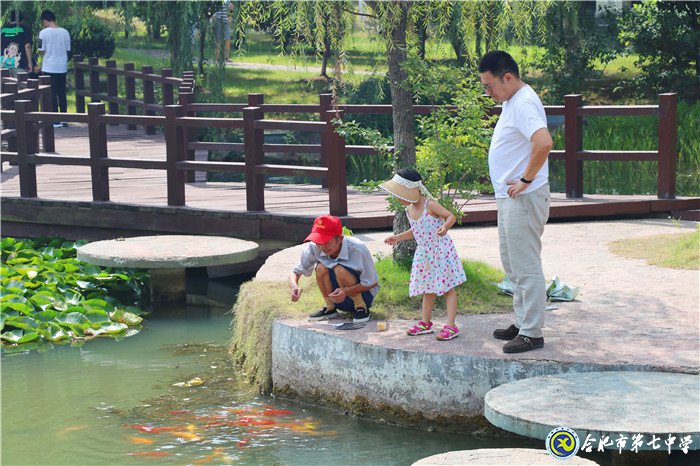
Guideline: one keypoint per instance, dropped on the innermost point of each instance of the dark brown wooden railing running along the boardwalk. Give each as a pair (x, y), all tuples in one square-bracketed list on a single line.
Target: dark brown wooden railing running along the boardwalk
[(180, 121)]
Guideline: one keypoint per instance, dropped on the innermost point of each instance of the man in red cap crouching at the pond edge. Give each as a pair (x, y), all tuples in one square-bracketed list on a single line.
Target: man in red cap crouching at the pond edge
[(345, 272)]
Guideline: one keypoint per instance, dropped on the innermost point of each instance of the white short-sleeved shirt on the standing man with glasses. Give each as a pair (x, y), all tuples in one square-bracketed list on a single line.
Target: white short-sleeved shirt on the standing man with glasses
[(509, 153)]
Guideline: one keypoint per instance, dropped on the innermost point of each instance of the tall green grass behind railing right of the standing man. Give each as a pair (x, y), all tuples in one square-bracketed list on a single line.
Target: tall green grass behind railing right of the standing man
[(634, 133)]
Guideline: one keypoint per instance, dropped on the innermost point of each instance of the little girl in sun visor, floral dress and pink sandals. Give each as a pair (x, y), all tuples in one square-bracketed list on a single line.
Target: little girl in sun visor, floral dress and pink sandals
[(436, 269)]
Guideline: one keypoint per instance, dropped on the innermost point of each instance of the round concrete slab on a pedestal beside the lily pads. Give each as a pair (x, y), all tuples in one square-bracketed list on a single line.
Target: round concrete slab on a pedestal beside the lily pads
[(167, 257)]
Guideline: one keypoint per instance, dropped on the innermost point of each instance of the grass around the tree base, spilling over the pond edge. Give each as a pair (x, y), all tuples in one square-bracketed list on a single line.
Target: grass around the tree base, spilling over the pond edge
[(260, 303)]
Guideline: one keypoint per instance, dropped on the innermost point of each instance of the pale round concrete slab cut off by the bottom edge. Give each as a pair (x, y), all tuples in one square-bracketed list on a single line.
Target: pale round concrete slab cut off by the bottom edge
[(500, 457)]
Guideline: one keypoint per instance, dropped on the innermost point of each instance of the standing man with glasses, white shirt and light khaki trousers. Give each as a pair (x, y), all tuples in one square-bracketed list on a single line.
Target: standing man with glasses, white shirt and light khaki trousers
[(520, 176)]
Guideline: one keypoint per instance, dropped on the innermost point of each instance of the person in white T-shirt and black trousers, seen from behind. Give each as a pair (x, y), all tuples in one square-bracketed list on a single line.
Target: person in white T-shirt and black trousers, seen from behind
[(54, 45)]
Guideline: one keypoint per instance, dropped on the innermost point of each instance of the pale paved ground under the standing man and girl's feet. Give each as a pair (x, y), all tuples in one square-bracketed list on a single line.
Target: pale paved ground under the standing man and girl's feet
[(628, 313)]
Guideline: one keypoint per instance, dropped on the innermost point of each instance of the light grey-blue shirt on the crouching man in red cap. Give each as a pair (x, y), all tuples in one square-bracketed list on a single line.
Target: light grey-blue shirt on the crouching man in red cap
[(353, 255)]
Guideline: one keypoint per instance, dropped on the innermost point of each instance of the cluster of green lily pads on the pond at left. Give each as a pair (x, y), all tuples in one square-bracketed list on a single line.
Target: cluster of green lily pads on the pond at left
[(48, 296)]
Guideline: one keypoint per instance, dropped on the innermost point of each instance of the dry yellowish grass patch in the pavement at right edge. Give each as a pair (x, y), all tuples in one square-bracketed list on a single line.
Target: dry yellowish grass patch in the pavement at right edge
[(673, 251)]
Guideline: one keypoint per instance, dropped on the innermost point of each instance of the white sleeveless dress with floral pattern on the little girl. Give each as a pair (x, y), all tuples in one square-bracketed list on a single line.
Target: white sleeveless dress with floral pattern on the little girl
[(436, 265)]
